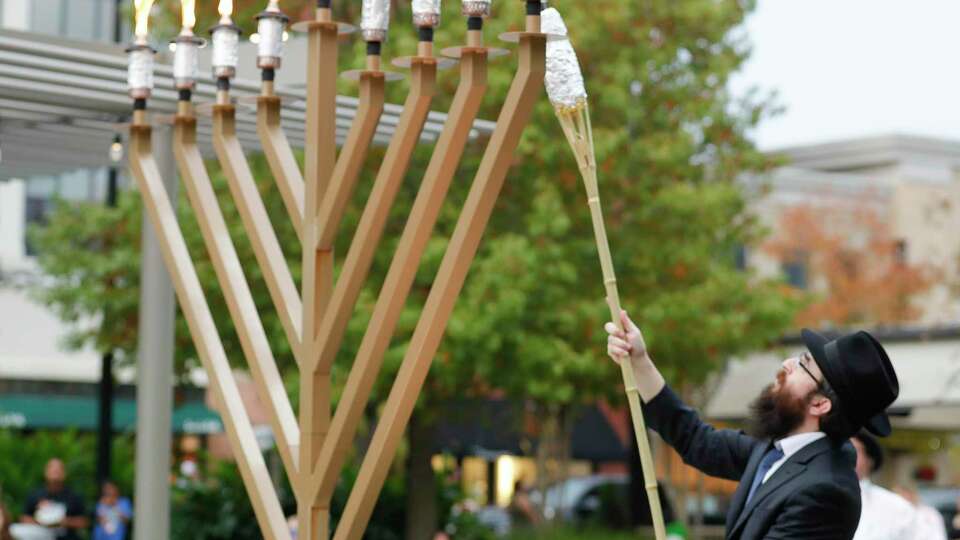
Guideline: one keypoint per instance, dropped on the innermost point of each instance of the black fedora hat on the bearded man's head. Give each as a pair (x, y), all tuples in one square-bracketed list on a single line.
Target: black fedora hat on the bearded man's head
[(860, 372)]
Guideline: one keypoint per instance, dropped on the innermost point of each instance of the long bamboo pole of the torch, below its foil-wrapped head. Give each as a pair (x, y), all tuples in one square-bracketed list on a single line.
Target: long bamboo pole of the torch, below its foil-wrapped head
[(577, 128)]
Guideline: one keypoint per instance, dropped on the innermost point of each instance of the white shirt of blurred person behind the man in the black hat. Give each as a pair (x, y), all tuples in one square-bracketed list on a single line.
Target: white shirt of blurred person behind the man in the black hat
[(884, 515)]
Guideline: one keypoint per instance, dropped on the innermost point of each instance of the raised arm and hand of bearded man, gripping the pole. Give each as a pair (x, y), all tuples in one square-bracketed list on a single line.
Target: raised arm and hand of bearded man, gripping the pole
[(723, 453)]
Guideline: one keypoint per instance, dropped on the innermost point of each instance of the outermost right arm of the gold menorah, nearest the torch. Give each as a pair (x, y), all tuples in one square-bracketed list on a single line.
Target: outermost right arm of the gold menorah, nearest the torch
[(446, 287)]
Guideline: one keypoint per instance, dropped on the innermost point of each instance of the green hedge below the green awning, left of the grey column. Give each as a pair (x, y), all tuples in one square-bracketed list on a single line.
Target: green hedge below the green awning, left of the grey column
[(26, 455)]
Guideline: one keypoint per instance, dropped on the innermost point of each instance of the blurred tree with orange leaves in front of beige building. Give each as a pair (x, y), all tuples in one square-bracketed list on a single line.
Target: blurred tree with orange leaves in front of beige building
[(854, 266)]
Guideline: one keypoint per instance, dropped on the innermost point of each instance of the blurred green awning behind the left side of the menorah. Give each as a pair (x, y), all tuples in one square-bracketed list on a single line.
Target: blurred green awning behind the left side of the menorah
[(33, 411)]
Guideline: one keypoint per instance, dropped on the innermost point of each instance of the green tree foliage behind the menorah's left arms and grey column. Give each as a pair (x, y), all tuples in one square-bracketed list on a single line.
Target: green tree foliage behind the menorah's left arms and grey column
[(91, 256)]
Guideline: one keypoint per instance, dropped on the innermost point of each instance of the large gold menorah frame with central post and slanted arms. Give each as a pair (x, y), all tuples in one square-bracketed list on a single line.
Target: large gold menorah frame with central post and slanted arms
[(314, 449)]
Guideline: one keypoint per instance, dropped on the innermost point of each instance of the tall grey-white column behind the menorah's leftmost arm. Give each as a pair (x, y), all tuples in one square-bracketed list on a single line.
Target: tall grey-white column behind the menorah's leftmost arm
[(155, 368)]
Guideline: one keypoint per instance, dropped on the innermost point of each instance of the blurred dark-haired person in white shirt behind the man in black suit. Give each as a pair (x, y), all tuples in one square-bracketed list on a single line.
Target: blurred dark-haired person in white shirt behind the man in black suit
[(884, 515)]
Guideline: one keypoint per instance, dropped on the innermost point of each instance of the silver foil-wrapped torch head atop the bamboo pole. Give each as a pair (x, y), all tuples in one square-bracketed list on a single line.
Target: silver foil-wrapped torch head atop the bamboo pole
[(563, 78)]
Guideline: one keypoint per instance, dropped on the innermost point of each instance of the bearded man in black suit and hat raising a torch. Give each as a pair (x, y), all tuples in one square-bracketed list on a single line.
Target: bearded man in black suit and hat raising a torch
[(795, 468)]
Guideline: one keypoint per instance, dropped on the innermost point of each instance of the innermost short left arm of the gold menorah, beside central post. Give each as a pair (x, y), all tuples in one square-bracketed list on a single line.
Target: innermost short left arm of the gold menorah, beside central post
[(283, 165)]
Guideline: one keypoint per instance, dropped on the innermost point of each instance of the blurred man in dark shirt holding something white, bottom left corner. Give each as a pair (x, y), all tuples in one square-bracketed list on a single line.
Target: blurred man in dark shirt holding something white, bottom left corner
[(56, 506)]
